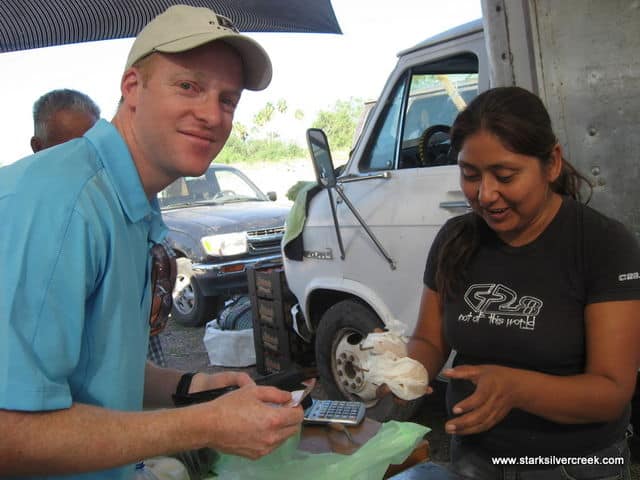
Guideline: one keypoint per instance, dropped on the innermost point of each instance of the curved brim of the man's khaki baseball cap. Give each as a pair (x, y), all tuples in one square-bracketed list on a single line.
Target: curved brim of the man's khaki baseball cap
[(255, 60)]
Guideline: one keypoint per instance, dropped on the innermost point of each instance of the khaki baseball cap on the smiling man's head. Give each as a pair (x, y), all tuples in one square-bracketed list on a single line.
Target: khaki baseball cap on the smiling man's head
[(182, 27)]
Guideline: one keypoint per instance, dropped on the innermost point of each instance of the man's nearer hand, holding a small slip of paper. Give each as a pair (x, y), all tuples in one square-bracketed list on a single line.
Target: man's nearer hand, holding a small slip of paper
[(245, 423)]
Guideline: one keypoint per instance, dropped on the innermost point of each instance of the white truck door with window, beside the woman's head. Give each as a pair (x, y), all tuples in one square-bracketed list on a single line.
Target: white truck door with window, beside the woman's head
[(406, 210)]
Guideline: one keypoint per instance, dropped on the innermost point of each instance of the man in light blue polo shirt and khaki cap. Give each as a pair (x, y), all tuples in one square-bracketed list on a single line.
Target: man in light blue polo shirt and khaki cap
[(79, 220)]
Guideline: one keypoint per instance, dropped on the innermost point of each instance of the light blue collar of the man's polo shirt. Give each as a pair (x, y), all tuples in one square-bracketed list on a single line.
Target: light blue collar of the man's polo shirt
[(118, 163)]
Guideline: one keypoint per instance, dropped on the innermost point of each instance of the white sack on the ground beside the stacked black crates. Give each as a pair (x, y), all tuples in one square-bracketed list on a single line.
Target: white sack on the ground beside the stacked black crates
[(229, 348)]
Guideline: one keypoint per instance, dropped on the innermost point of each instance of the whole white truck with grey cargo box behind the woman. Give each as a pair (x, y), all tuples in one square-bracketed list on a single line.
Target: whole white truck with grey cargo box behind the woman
[(359, 261)]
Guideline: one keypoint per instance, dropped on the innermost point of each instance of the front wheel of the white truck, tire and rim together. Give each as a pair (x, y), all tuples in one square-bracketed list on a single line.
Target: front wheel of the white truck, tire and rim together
[(341, 329)]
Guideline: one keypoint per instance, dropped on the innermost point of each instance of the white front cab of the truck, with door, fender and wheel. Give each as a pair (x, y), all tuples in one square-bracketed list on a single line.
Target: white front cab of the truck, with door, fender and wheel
[(404, 190)]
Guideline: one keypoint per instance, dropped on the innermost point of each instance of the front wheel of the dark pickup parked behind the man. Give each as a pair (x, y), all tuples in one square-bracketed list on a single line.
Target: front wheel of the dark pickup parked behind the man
[(190, 307)]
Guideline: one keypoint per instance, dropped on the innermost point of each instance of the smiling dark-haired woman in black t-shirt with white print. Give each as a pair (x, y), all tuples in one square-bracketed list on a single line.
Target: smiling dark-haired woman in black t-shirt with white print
[(539, 295)]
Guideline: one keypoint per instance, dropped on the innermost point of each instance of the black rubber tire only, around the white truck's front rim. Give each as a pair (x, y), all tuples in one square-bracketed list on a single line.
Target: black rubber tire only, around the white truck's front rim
[(355, 319)]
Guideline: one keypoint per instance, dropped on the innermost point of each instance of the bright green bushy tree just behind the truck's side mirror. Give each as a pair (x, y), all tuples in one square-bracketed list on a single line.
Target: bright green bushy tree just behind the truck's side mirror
[(340, 123)]
